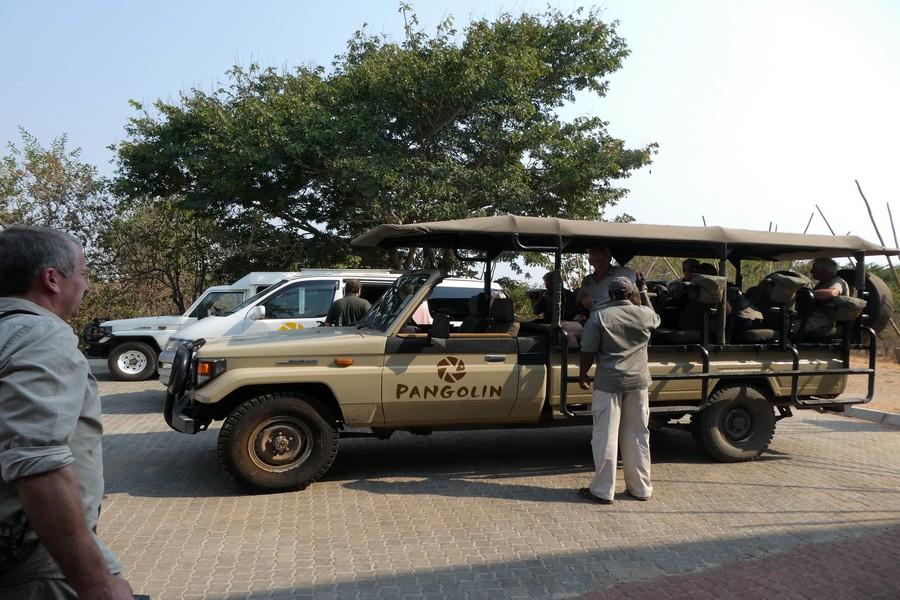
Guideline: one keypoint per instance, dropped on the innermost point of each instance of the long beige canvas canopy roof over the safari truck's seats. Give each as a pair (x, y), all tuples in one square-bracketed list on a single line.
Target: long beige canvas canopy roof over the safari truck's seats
[(505, 233)]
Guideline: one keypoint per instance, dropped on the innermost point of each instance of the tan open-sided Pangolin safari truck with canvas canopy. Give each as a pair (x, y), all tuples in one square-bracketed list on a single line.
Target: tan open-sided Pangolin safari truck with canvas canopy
[(286, 401)]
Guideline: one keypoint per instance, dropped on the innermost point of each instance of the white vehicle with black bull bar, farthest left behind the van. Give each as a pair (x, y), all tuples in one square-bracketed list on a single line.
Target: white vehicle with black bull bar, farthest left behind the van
[(131, 345)]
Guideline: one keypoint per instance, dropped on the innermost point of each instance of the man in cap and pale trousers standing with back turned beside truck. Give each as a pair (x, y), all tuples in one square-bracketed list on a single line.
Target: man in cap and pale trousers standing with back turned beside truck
[(618, 335)]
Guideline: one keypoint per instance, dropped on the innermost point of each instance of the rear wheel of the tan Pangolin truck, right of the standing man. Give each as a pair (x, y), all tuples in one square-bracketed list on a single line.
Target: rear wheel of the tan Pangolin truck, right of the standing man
[(737, 425)]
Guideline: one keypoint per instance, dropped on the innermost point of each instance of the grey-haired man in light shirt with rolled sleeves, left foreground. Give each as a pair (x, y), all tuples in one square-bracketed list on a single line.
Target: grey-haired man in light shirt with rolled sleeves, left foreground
[(51, 465)]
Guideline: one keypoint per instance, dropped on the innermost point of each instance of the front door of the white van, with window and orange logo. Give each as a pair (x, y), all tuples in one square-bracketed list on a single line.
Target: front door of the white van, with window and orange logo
[(298, 305)]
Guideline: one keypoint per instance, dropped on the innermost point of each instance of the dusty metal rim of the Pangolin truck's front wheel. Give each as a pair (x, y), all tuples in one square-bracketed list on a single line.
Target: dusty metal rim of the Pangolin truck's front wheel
[(280, 444)]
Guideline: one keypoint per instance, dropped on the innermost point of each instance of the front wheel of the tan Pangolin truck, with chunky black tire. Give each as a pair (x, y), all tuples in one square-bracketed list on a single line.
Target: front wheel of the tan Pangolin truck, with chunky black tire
[(303, 429)]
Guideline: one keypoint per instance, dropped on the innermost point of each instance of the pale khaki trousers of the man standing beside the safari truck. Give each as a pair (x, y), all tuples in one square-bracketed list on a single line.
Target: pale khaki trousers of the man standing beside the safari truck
[(620, 420)]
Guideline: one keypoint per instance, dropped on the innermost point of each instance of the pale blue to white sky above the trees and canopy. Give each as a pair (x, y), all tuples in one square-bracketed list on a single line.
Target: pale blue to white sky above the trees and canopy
[(761, 109)]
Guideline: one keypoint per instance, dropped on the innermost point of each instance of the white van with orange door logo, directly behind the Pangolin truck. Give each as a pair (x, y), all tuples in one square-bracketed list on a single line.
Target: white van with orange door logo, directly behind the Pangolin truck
[(304, 301)]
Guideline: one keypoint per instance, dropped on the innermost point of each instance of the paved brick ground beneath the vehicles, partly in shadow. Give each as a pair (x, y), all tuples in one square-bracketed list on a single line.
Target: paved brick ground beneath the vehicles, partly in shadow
[(495, 515)]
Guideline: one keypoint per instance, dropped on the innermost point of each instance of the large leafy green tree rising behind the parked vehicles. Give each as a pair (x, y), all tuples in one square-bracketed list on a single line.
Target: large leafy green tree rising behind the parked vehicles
[(433, 127)]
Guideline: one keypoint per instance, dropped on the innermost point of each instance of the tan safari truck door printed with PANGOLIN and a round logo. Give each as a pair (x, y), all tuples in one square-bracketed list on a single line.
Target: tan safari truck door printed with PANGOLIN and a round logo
[(467, 378)]
